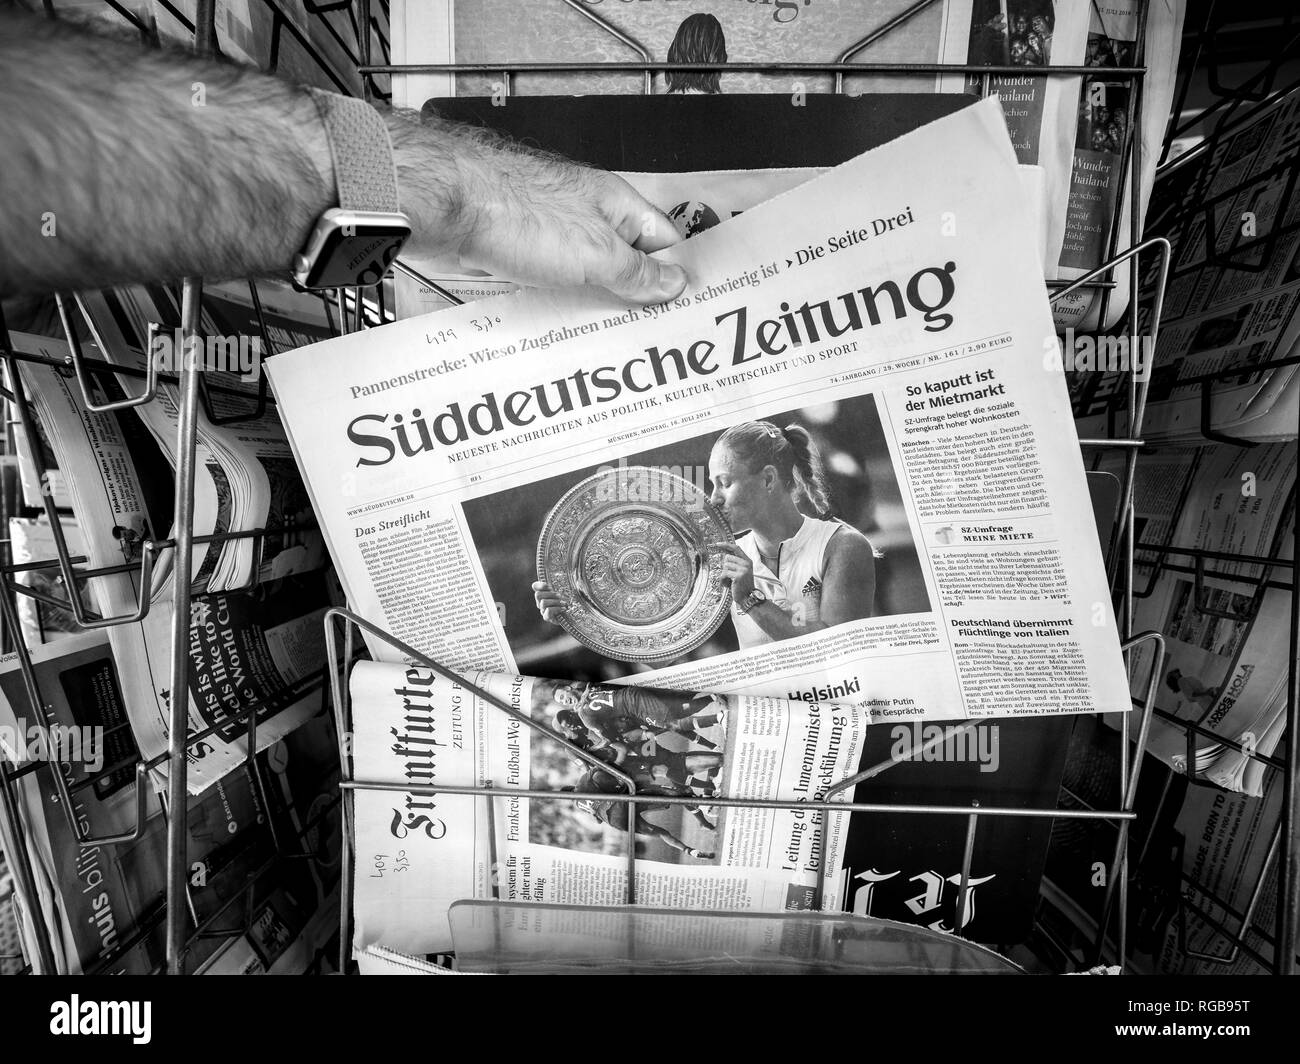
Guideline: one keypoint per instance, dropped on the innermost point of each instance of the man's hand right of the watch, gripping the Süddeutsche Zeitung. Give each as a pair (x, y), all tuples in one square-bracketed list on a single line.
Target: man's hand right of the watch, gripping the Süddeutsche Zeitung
[(530, 217)]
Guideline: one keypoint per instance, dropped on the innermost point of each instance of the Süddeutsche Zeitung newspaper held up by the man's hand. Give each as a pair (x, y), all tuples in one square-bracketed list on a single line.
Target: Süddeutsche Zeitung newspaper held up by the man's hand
[(434, 452)]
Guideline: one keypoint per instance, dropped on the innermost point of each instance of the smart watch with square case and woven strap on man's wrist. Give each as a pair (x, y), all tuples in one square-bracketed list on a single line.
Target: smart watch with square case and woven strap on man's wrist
[(354, 244)]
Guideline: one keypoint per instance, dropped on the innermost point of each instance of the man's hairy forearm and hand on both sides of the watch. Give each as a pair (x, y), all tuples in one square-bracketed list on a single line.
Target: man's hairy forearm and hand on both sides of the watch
[(153, 166)]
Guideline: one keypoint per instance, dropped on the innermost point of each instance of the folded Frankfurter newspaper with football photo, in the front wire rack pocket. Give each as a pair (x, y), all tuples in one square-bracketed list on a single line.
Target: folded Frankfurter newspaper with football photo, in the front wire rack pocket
[(418, 854)]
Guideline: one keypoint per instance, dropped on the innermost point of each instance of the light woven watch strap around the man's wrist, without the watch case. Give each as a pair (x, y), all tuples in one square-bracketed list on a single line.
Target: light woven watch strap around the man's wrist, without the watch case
[(365, 171)]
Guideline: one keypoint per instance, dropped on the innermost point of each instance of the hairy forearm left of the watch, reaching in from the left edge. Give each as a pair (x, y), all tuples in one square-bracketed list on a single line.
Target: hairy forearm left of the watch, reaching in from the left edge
[(123, 163)]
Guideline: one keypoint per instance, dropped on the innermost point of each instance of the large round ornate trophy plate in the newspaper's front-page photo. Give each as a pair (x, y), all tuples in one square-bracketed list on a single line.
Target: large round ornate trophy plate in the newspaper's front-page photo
[(629, 552)]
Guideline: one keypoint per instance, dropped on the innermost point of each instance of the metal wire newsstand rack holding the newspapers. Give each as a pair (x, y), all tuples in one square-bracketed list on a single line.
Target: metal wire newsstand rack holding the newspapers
[(356, 310)]
